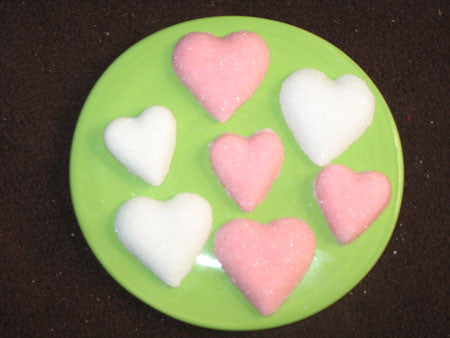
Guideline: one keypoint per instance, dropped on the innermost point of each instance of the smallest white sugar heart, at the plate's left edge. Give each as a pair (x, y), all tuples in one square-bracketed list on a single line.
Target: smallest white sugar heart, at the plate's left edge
[(145, 144)]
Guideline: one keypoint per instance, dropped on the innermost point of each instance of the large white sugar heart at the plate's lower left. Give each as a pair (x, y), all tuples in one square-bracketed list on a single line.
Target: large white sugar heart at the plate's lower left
[(165, 236)]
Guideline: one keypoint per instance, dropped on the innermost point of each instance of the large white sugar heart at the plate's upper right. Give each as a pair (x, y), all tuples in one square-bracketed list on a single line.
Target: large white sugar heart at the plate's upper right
[(326, 116)]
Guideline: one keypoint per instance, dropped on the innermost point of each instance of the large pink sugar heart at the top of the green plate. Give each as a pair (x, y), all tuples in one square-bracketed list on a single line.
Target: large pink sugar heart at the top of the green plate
[(222, 73)]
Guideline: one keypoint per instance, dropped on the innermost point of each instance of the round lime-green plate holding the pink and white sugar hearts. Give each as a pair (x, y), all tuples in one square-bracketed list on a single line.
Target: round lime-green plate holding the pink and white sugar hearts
[(143, 77)]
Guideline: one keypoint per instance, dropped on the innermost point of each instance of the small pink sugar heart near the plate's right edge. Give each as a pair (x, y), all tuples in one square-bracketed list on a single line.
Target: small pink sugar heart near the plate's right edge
[(350, 201)]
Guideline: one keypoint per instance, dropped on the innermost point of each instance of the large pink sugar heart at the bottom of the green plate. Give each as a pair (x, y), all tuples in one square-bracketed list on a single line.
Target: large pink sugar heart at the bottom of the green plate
[(266, 263)]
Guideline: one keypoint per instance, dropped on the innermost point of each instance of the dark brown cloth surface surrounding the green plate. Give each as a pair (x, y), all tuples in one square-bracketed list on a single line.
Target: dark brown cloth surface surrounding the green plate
[(52, 53)]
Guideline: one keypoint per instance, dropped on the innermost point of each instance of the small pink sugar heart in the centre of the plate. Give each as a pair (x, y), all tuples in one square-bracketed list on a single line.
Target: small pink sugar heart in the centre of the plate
[(247, 167)]
